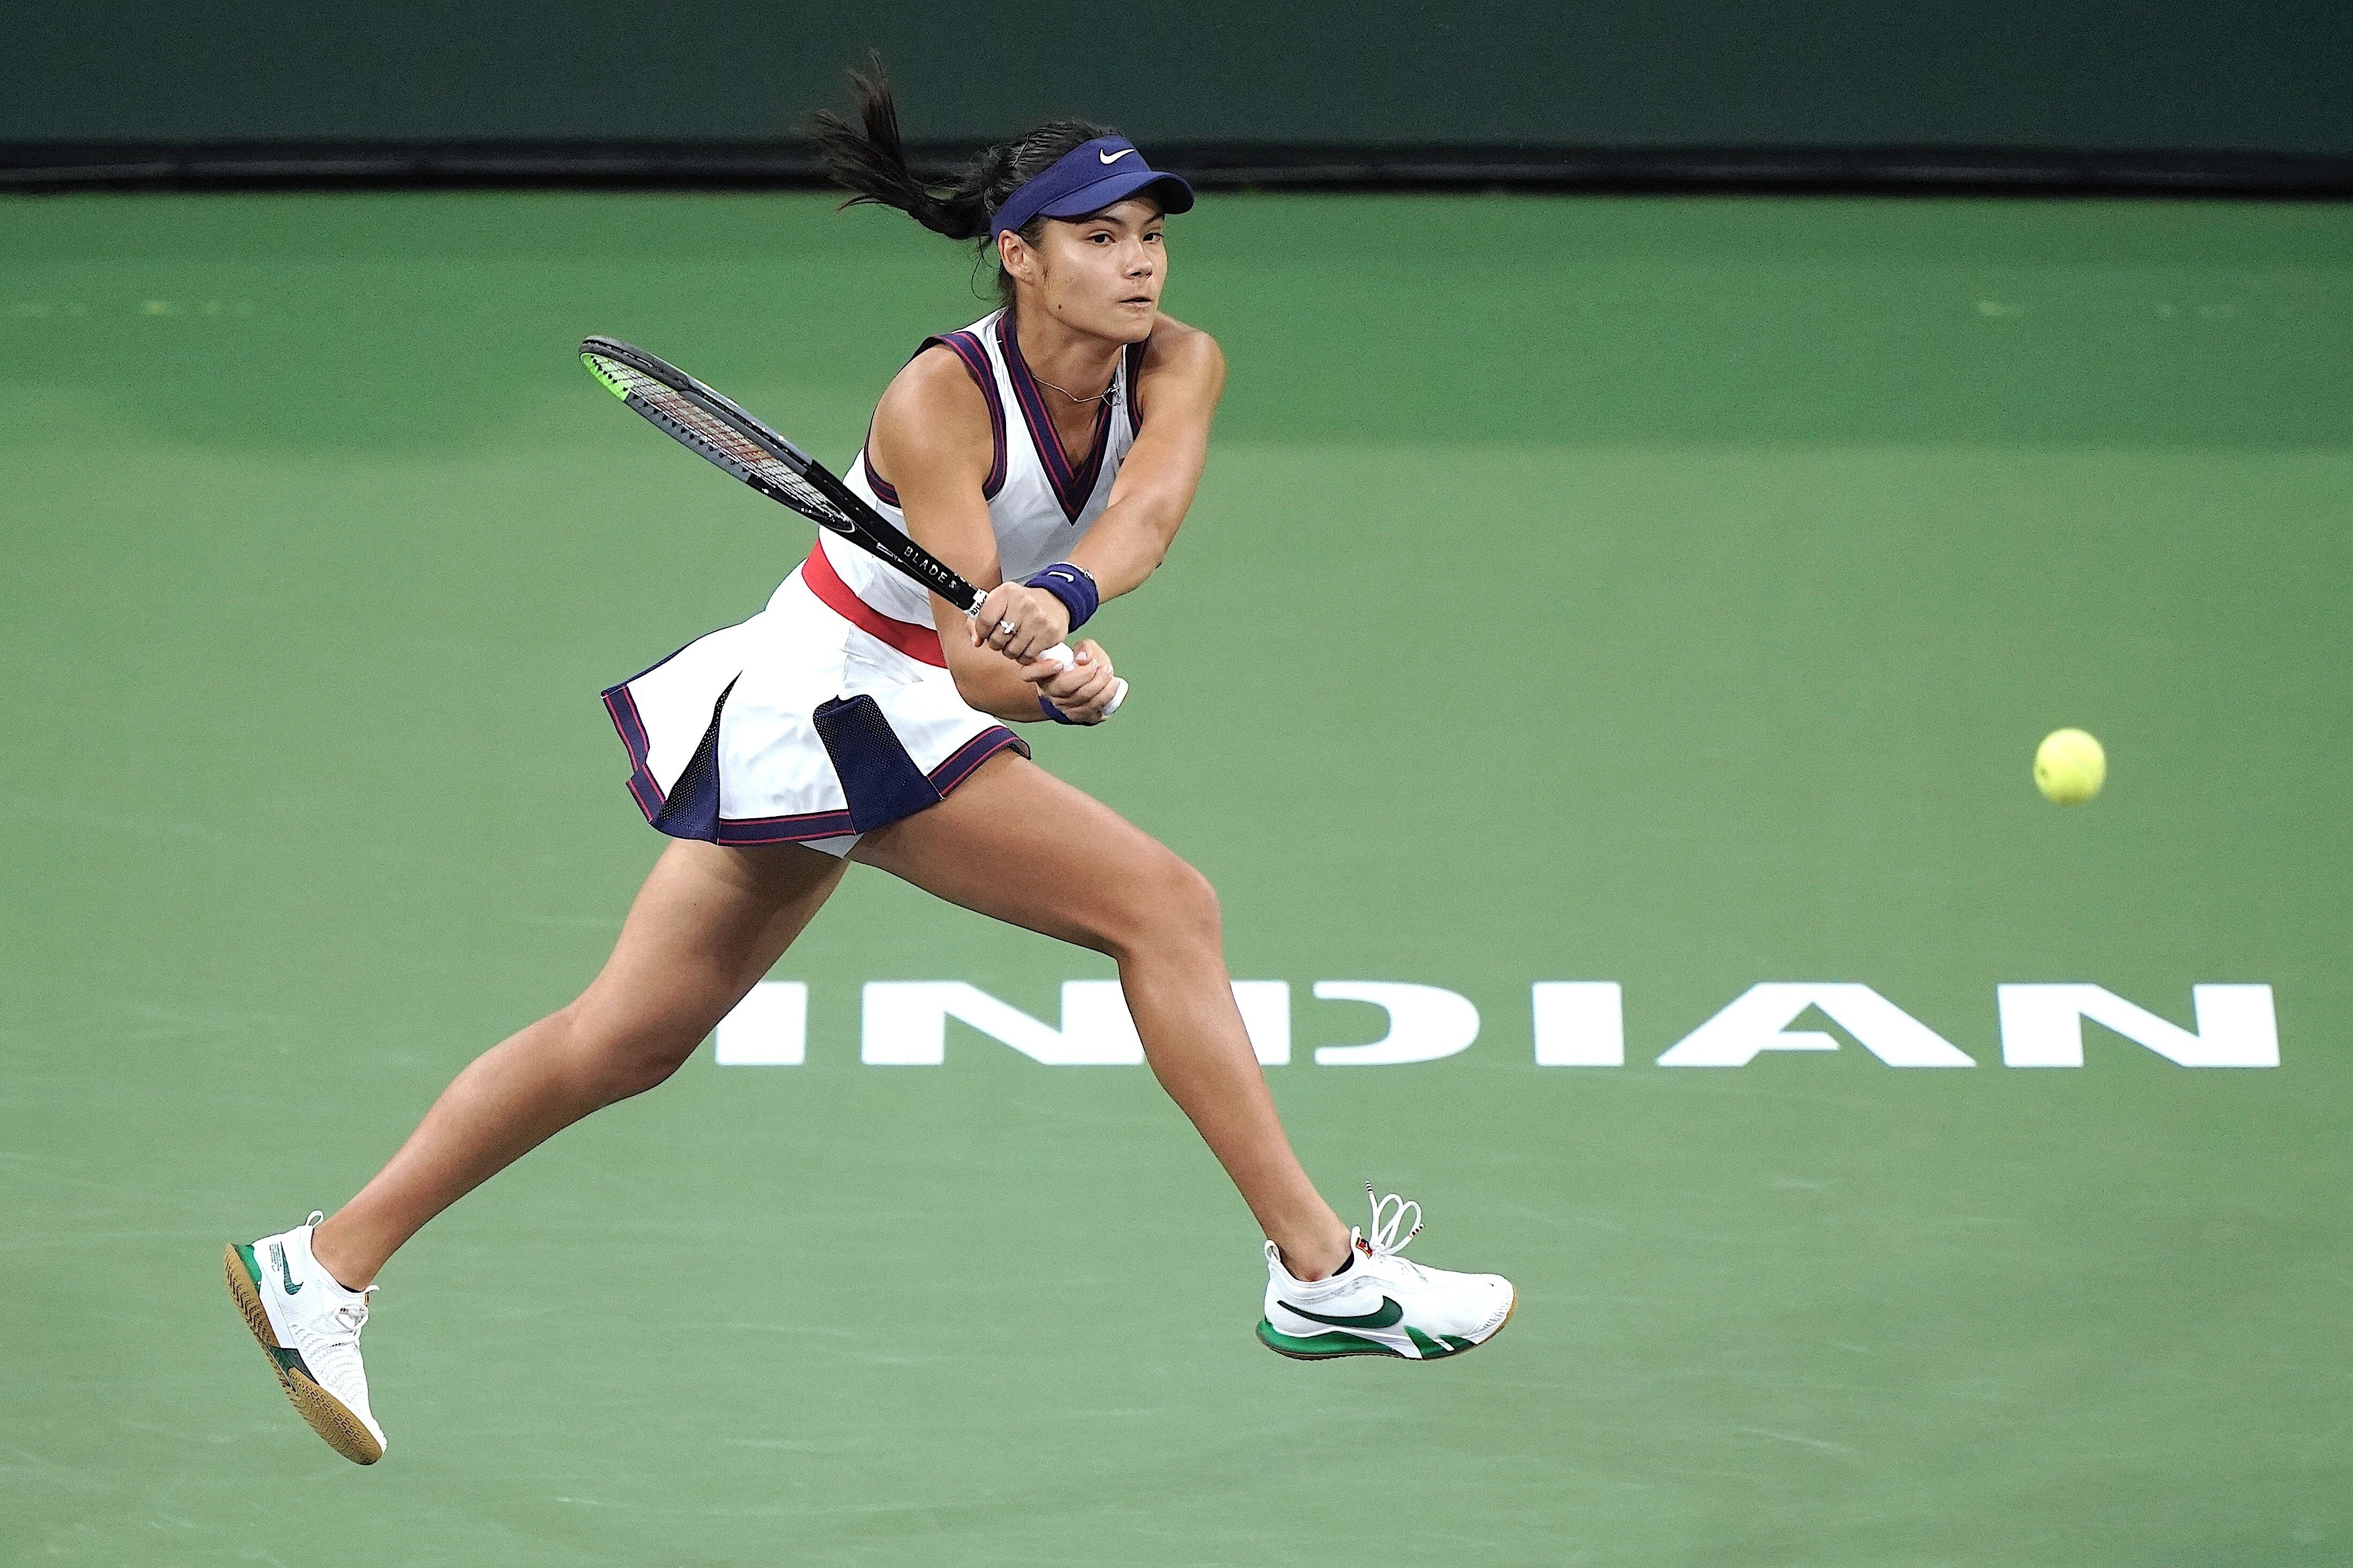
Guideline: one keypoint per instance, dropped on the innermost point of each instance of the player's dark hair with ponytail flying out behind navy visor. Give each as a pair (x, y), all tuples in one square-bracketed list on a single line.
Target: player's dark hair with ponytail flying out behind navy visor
[(872, 161)]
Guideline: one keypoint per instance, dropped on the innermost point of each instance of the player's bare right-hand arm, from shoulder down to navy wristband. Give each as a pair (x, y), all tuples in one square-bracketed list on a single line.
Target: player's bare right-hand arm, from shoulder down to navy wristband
[(1178, 389)]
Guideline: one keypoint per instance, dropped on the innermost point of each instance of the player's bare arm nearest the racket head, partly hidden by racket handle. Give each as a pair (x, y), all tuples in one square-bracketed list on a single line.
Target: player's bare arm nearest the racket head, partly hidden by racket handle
[(935, 445)]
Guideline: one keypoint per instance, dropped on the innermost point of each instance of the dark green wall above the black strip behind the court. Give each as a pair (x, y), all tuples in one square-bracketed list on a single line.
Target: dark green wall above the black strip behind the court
[(2058, 74)]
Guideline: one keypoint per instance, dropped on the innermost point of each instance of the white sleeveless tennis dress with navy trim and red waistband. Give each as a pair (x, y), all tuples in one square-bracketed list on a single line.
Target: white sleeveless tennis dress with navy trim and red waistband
[(832, 711)]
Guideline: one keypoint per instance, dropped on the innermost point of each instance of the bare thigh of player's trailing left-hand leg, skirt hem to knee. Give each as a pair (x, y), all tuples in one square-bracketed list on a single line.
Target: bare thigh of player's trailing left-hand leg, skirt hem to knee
[(702, 932)]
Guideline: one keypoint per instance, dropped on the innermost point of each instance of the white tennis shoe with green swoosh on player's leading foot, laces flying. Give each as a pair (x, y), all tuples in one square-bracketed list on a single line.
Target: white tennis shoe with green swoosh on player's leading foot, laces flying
[(1382, 1306)]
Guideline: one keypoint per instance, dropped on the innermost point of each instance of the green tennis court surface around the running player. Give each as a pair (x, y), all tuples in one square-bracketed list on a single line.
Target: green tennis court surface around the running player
[(1662, 594)]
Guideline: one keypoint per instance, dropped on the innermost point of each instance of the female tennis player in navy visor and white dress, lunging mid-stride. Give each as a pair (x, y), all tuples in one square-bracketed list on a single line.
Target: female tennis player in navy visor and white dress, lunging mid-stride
[(1051, 453)]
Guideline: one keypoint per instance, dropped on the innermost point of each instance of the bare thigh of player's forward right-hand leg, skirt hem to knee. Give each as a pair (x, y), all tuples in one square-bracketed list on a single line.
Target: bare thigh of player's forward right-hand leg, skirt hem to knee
[(1025, 847)]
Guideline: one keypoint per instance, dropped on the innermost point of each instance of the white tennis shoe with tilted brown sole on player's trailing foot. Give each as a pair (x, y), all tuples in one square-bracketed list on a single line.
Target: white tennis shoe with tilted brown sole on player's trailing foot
[(312, 1329)]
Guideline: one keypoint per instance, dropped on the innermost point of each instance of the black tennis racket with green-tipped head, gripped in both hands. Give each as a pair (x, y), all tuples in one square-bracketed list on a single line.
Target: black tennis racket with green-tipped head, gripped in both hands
[(712, 427)]
